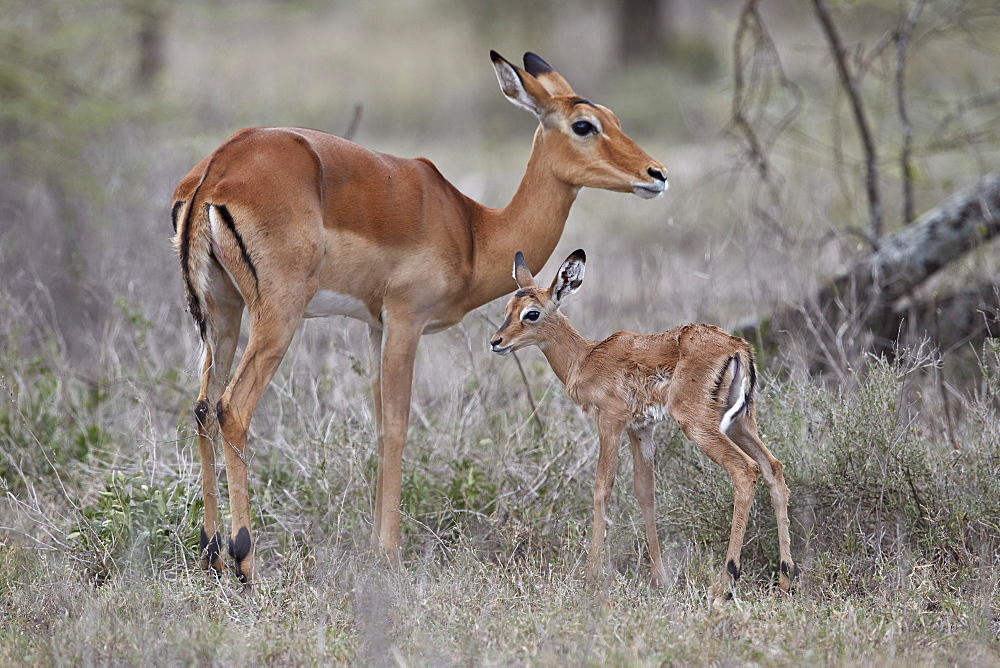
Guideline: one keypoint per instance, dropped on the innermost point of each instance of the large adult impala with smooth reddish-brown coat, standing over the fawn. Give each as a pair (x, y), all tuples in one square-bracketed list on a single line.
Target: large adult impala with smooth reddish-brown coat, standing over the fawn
[(294, 223)]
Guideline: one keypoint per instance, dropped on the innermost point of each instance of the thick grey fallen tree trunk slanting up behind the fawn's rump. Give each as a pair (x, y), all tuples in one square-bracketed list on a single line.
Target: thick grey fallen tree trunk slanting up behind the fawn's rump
[(857, 311)]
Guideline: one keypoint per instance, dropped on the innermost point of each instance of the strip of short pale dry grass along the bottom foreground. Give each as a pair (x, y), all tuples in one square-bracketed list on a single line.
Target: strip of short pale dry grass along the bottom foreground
[(341, 607)]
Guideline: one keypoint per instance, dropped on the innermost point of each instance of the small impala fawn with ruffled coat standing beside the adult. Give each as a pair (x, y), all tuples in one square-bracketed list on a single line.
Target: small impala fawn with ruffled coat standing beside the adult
[(699, 375)]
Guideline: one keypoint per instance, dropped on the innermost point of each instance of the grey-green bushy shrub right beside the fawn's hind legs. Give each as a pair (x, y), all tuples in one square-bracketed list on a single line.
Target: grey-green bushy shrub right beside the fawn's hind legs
[(871, 484)]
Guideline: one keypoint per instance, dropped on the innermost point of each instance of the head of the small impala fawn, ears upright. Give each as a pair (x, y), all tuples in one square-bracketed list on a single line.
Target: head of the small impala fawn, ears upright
[(533, 312)]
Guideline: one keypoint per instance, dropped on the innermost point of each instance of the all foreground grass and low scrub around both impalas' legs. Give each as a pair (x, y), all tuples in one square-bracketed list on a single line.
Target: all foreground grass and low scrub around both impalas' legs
[(896, 531)]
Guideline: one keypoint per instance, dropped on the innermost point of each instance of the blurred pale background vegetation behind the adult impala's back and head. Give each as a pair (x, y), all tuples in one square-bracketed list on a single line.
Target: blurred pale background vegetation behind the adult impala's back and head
[(104, 105)]
